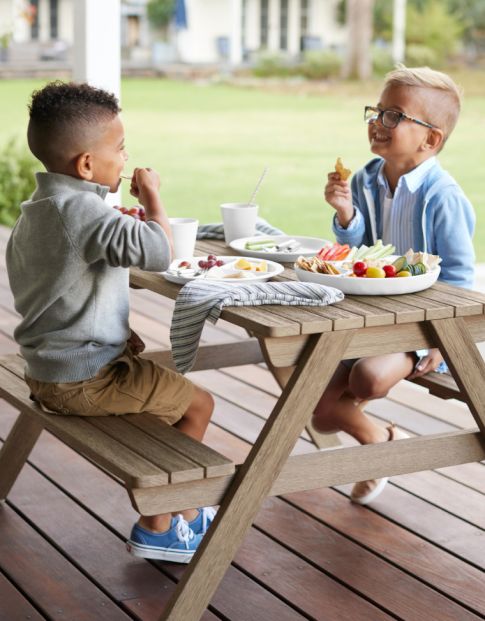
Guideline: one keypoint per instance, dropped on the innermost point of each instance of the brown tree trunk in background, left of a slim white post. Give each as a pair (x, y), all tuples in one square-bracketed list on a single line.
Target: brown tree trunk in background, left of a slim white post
[(358, 62)]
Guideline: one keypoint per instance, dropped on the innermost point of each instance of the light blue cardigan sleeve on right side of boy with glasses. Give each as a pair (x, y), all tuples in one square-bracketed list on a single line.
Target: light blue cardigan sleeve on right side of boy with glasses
[(454, 222)]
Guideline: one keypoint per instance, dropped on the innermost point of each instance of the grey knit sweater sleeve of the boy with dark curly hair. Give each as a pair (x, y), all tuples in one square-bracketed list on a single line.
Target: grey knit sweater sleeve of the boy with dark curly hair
[(99, 232)]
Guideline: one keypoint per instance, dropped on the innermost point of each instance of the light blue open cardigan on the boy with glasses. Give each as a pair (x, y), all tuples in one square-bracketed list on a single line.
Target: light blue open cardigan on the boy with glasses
[(443, 225)]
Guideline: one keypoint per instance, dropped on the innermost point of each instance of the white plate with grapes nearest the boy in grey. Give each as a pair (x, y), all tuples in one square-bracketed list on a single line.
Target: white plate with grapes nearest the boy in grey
[(220, 274)]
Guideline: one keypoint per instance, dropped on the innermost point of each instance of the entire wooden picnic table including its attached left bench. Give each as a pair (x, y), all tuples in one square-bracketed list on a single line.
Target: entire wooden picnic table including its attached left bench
[(164, 470)]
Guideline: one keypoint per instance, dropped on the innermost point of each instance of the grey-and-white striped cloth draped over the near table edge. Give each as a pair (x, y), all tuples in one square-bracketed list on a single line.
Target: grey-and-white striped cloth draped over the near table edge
[(200, 300)]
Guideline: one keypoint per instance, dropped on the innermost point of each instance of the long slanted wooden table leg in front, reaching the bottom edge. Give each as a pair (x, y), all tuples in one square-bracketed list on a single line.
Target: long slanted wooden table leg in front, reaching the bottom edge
[(253, 481)]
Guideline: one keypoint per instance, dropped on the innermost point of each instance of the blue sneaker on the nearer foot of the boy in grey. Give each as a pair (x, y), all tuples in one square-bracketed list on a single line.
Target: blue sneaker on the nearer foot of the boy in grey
[(177, 544)]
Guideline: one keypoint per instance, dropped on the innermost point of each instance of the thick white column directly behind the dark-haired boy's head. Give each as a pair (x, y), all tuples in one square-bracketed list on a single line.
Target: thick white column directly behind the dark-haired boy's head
[(97, 45)]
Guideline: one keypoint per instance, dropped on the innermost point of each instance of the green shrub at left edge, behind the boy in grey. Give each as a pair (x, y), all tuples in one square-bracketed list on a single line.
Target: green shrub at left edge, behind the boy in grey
[(17, 181)]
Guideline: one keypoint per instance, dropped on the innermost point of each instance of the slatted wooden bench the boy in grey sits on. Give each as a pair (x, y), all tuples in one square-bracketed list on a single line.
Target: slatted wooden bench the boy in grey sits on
[(140, 450)]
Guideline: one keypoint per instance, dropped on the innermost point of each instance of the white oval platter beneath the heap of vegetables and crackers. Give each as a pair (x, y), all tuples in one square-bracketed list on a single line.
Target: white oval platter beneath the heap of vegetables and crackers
[(372, 286)]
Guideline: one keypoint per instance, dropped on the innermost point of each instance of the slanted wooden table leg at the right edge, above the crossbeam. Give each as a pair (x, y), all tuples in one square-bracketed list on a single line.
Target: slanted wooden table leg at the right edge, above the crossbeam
[(465, 362)]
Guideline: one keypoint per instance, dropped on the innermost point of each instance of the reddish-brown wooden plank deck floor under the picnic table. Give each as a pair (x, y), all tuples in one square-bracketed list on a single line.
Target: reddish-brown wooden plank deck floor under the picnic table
[(417, 554)]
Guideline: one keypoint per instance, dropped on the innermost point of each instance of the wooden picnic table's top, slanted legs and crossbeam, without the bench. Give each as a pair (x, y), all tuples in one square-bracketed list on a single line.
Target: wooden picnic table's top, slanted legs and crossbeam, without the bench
[(303, 347)]
